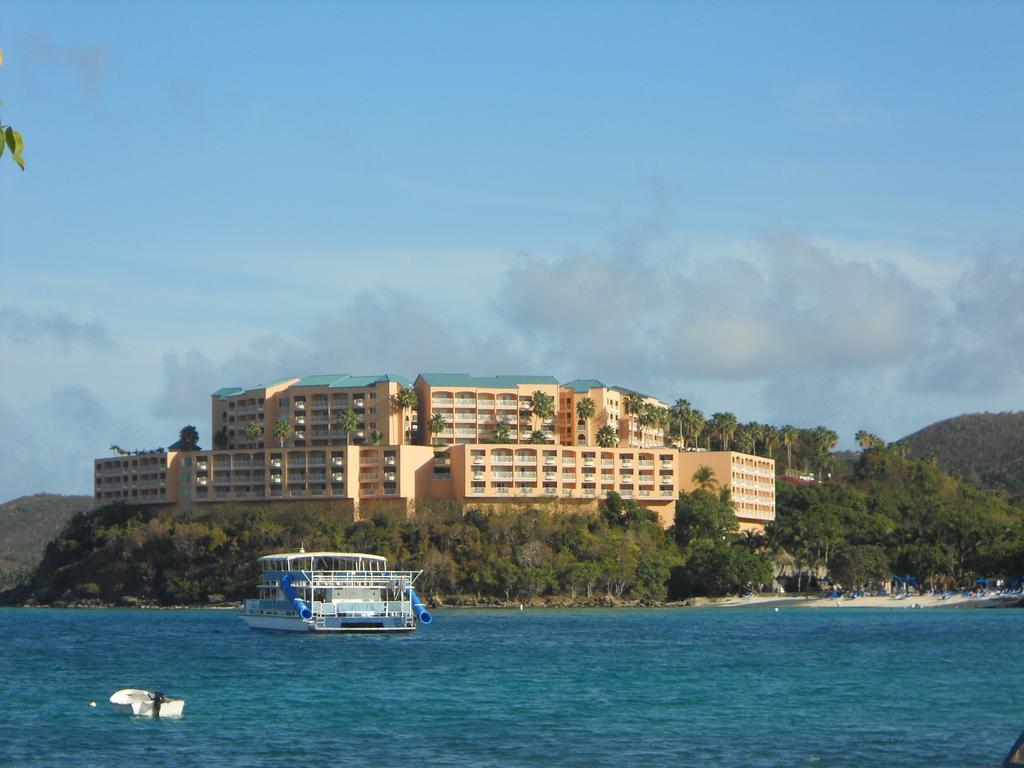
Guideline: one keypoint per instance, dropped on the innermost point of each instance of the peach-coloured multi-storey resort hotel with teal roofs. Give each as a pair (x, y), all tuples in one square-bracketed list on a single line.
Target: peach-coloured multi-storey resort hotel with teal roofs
[(351, 442)]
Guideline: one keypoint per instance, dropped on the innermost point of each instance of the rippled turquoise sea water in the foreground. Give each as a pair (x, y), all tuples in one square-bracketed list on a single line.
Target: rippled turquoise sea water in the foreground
[(659, 688)]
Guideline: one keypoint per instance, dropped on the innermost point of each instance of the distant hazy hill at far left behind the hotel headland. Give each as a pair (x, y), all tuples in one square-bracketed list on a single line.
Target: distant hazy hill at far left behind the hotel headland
[(27, 525)]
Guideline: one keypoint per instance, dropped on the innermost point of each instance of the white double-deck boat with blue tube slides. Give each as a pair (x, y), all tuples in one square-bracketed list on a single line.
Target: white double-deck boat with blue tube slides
[(334, 592)]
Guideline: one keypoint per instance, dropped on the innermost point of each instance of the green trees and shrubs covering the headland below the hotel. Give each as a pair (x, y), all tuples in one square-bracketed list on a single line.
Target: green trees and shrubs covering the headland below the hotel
[(886, 523)]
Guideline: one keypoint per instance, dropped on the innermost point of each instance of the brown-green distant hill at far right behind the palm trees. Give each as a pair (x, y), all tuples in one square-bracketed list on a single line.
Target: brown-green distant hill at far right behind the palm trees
[(987, 449)]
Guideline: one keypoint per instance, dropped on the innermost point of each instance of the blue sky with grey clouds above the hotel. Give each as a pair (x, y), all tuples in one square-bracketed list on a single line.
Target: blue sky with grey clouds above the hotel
[(803, 214)]
